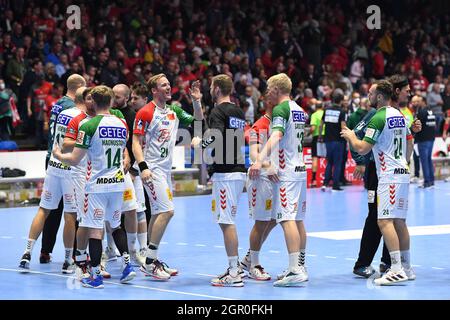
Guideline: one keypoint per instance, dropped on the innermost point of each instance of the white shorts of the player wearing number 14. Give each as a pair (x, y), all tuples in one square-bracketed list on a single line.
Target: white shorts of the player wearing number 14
[(102, 207)]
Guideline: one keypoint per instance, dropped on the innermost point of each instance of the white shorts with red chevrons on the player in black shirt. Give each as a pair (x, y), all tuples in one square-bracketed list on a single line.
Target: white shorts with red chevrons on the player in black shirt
[(226, 193)]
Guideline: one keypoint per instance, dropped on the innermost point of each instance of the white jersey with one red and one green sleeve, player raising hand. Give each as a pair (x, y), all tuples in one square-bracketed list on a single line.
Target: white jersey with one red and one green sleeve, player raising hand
[(159, 126)]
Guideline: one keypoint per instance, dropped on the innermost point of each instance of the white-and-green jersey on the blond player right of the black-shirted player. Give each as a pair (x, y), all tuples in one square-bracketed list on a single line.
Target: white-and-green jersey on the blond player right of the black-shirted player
[(289, 118)]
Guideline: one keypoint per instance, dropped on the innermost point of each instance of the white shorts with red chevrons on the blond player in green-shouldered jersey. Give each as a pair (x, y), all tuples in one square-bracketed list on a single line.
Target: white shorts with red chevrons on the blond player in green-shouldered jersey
[(289, 200)]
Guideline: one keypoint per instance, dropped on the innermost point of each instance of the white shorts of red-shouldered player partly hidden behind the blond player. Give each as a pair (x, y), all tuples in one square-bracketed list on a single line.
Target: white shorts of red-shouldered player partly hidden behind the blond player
[(260, 199)]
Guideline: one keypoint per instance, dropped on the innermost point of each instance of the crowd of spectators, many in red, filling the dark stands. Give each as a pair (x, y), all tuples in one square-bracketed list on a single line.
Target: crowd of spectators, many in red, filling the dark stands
[(320, 45)]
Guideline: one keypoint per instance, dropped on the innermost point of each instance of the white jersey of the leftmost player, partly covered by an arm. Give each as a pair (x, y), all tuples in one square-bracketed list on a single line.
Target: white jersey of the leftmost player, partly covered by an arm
[(55, 167)]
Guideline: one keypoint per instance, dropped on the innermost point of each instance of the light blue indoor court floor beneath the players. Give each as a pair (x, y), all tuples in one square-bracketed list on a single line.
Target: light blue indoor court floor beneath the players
[(193, 244)]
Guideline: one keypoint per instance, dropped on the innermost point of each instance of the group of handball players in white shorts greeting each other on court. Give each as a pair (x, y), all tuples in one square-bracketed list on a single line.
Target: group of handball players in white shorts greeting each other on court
[(103, 158)]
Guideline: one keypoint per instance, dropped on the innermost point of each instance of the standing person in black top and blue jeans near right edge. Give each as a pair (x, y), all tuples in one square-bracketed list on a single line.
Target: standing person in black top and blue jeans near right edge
[(425, 140)]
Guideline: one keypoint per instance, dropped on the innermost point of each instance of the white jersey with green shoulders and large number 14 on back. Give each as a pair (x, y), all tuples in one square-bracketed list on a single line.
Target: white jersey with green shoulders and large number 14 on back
[(105, 137)]
